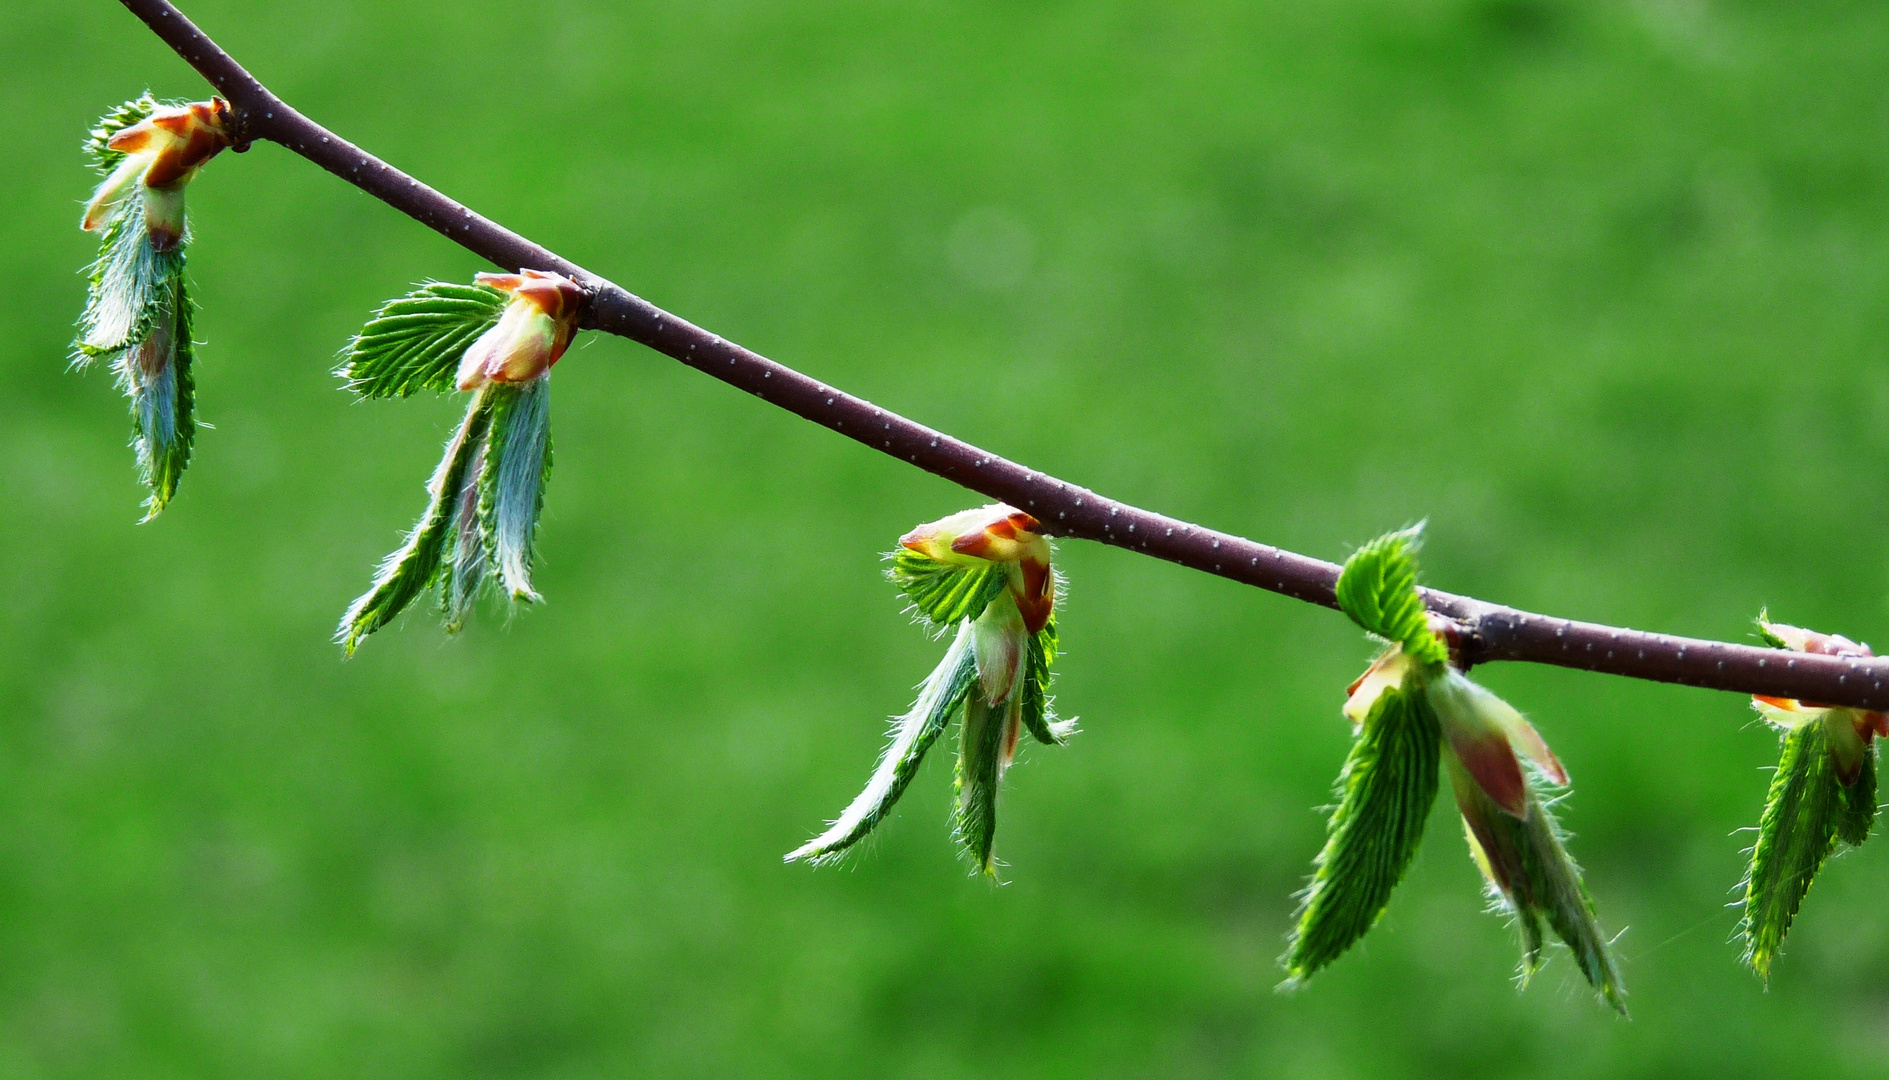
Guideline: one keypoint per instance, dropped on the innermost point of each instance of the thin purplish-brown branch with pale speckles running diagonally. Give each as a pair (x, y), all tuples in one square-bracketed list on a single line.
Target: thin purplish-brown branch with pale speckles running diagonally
[(1486, 632)]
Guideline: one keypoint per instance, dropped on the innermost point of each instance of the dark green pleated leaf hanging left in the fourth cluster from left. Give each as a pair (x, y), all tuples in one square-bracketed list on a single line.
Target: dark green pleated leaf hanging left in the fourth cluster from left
[(1384, 802)]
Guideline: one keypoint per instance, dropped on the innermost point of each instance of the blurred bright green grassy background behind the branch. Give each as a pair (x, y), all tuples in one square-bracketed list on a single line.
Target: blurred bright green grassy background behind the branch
[(1597, 288)]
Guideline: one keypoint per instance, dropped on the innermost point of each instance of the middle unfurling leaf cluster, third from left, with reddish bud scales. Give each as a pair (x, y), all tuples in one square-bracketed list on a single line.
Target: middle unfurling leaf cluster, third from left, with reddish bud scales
[(989, 573)]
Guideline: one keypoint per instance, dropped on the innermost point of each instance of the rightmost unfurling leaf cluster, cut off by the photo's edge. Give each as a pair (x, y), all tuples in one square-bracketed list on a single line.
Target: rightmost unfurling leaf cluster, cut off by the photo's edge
[(1822, 796)]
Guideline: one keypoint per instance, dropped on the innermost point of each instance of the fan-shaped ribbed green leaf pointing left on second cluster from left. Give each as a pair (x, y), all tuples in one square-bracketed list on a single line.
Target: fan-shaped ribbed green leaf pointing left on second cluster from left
[(418, 341)]
